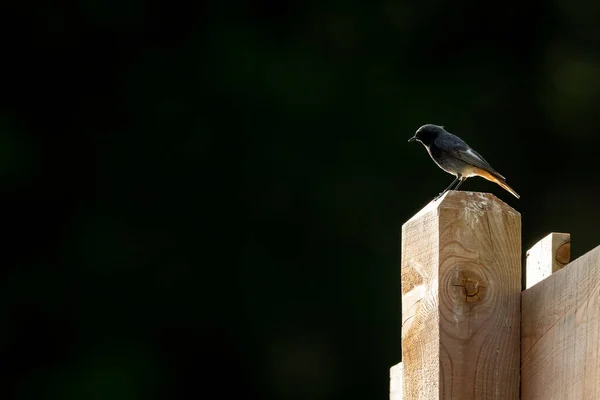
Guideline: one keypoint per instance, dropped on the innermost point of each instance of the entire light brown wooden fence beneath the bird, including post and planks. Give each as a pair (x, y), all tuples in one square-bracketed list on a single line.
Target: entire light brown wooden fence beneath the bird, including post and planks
[(470, 332)]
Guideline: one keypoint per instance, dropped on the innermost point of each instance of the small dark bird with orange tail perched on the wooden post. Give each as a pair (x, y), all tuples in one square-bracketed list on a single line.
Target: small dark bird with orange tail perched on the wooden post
[(455, 157)]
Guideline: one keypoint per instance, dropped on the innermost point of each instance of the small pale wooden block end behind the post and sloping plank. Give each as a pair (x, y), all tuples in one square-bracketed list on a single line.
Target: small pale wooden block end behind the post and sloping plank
[(547, 256)]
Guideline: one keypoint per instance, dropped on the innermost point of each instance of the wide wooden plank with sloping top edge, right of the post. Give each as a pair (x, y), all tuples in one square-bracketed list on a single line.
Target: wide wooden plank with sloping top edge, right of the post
[(560, 333)]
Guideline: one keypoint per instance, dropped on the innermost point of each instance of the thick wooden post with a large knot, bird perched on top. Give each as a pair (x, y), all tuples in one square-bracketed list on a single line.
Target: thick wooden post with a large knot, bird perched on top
[(461, 284)]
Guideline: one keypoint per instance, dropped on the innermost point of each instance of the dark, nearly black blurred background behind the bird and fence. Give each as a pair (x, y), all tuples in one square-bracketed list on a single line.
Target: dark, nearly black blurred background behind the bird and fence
[(210, 195)]
